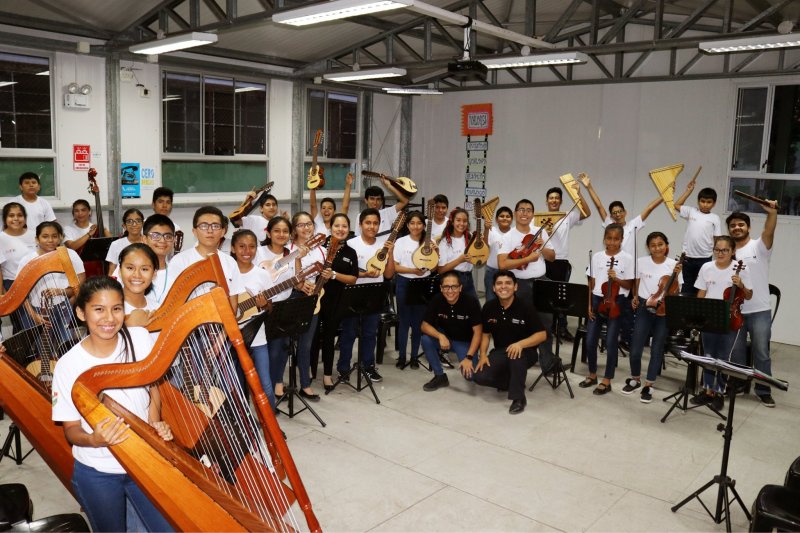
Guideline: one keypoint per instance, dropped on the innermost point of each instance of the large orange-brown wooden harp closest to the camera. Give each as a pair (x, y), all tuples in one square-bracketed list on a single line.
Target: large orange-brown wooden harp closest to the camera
[(222, 472)]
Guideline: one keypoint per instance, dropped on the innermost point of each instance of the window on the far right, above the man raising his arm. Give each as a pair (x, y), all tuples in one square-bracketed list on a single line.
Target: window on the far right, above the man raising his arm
[(766, 148)]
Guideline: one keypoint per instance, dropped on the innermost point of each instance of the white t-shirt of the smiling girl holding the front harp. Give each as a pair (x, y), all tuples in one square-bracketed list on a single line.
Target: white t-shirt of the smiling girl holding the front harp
[(137, 400)]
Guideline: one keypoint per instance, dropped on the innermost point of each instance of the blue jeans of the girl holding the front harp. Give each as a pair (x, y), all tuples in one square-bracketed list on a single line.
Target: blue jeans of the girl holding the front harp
[(104, 498)]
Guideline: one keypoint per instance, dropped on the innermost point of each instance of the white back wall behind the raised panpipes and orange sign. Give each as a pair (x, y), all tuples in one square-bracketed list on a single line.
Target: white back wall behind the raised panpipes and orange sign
[(616, 134)]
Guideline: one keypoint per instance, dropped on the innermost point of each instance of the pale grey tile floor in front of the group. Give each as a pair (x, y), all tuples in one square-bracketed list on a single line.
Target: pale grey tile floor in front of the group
[(455, 460)]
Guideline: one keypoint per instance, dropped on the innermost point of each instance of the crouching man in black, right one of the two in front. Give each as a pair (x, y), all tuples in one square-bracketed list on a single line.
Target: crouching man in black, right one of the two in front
[(516, 330)]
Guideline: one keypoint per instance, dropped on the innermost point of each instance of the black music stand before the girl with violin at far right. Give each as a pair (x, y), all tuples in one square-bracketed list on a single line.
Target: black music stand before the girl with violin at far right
[(695, 315)]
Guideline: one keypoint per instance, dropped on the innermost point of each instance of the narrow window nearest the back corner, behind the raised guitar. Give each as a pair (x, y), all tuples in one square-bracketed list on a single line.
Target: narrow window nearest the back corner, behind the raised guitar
[(336, 114)]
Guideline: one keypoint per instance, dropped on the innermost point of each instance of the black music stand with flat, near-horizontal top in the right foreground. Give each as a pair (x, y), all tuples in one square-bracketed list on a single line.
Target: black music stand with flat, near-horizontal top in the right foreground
[(735, 373)]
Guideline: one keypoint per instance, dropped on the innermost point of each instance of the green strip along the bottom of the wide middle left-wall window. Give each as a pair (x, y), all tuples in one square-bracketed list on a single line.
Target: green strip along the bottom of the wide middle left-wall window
[(224, 176)]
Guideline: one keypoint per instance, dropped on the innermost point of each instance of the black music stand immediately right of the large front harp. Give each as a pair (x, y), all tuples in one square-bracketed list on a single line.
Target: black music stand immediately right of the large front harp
[(290, 318)]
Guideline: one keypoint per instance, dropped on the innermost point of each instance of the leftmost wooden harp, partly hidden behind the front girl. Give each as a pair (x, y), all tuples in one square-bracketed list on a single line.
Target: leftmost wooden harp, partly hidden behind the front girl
[(41, 336)]
